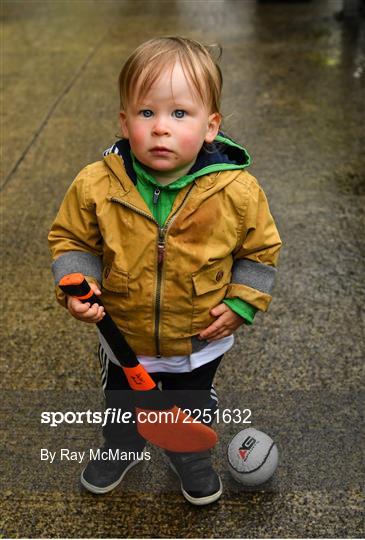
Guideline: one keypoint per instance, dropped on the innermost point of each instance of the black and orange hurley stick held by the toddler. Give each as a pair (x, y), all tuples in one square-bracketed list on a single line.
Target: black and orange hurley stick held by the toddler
[(175, 431)]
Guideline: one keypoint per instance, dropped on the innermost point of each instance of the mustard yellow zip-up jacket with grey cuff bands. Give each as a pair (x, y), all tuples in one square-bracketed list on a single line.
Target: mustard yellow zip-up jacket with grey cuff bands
[(159, 283)]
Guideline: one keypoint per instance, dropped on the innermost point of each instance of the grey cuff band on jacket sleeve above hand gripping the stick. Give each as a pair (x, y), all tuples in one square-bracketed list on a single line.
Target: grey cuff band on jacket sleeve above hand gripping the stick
[(77, 261)]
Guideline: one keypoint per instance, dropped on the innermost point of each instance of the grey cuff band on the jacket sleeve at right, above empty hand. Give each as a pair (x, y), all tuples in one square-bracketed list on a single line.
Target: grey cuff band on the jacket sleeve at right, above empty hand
[(255, 275)]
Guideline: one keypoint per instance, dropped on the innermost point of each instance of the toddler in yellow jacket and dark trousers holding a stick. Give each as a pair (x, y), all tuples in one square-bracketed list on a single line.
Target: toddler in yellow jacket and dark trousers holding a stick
[(177, 237)]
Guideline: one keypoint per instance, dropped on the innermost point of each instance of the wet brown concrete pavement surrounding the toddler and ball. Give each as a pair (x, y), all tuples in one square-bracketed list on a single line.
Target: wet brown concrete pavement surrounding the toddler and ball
[(294, 96)]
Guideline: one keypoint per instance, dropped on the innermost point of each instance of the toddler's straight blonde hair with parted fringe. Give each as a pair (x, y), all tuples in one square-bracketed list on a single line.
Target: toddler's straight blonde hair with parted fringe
[(146, 63)]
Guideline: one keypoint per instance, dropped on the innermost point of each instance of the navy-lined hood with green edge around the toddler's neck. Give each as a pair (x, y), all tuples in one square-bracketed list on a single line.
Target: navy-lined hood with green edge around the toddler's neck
[(222, 154)]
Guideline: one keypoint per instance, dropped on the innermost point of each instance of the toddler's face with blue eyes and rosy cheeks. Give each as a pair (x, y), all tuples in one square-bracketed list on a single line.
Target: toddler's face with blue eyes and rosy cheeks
[(167, 128)]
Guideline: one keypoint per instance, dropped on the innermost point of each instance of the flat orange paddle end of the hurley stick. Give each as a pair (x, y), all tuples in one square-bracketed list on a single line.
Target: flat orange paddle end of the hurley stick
[(174, 430)]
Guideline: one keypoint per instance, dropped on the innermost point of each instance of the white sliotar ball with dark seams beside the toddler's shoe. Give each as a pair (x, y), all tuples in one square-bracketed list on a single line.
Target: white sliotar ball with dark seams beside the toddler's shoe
[(252, 457)]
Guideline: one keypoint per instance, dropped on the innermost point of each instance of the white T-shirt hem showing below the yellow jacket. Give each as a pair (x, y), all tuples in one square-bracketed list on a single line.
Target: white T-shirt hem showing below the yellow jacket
[(177, 364)]
